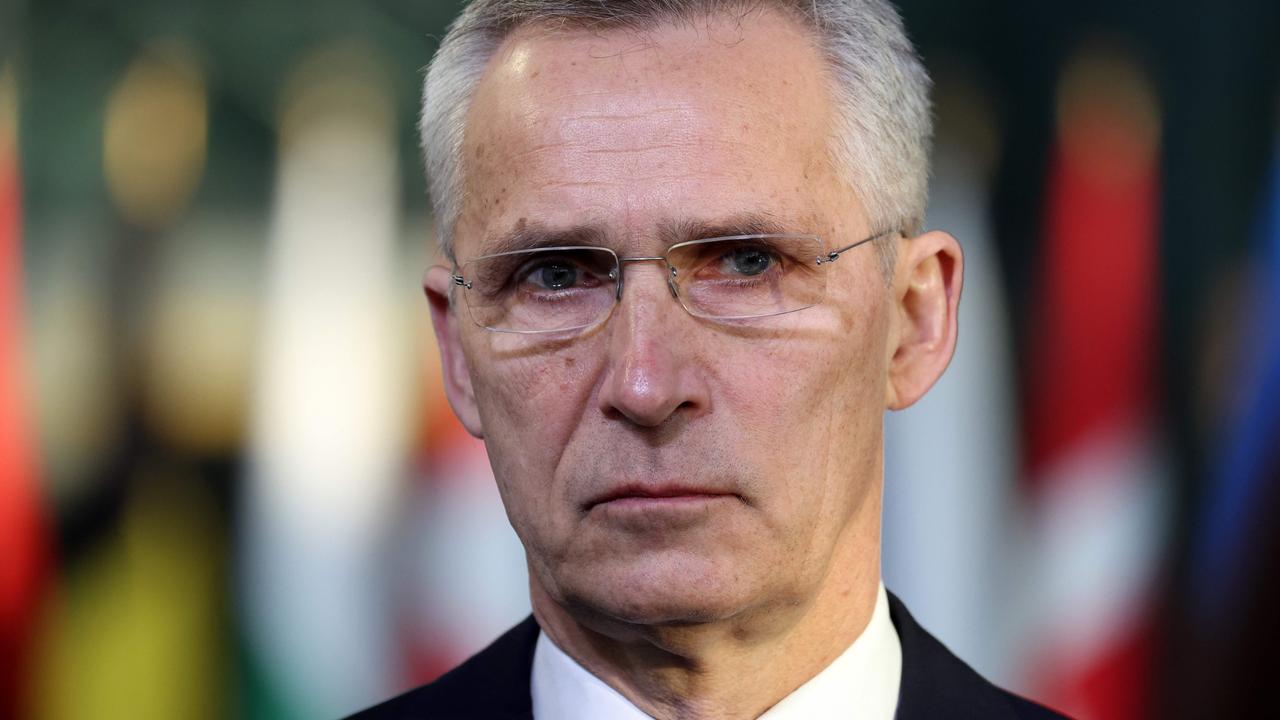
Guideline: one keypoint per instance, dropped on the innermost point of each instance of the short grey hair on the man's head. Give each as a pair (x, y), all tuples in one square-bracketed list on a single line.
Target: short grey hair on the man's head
[(881, 92)]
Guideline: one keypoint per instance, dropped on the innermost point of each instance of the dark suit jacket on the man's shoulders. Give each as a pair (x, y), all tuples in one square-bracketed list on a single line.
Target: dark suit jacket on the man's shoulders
[(495, 683)]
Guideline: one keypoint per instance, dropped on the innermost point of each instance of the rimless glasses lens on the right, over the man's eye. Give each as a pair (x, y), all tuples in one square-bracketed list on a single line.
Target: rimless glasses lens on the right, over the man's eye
[(748, 277)]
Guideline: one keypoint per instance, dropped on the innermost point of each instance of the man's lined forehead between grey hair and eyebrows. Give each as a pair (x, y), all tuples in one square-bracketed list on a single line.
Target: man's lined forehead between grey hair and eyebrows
[(627, 131)]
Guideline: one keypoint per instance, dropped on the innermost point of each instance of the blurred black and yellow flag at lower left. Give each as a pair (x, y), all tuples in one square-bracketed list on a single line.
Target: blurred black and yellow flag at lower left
[(135, 630)]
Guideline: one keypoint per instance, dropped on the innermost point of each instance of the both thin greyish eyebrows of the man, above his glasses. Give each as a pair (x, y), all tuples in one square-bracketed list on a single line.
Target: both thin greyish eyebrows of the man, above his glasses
[(533, 235)]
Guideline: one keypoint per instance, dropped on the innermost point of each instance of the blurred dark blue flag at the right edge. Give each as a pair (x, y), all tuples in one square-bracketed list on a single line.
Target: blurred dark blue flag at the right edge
[(1236, 559)]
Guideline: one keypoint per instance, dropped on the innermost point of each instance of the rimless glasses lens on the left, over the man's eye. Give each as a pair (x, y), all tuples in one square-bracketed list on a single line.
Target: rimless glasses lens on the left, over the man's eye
[(555, 289)]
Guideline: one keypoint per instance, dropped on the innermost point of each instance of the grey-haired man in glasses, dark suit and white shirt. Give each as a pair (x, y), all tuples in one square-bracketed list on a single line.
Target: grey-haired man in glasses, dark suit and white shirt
[(687, 281)]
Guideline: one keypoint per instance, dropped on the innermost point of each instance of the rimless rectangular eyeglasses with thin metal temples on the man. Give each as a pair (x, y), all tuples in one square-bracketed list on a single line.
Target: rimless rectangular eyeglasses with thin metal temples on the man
[(577, 288)]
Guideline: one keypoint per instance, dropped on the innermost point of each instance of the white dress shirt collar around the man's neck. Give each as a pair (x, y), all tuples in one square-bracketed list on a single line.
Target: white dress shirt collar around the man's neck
[(861, 683)]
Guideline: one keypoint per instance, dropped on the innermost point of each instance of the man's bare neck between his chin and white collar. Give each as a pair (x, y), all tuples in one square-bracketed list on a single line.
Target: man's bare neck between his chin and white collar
[(734, 668)]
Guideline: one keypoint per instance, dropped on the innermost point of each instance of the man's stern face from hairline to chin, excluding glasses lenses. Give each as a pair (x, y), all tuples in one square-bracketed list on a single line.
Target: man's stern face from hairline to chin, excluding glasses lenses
[(765, 435)]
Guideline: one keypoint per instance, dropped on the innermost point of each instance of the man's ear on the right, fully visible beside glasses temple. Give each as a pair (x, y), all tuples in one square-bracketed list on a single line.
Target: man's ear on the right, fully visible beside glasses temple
[(927, 280)]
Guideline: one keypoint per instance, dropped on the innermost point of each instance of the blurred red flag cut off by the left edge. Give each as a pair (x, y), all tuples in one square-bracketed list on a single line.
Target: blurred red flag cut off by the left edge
[(24, 536)]
